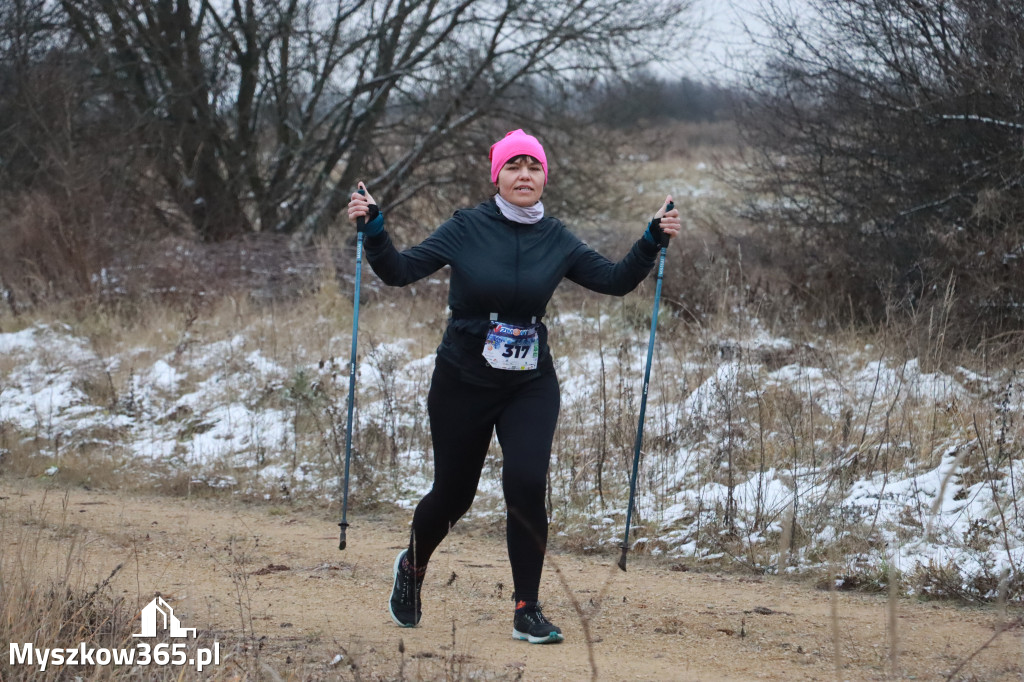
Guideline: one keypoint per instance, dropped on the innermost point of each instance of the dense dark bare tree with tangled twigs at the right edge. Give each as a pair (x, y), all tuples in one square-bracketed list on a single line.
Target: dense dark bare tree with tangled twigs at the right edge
[(888, 136)]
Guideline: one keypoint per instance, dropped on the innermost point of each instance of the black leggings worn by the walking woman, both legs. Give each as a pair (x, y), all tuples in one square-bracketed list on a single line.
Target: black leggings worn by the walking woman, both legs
[(463, 417)]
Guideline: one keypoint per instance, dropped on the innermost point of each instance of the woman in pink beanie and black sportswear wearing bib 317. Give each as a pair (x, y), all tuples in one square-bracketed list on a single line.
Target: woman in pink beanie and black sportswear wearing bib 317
[(494, 371)]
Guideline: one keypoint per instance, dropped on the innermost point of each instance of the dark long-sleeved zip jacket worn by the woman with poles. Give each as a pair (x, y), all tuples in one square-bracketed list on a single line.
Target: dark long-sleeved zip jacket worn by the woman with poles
[(505, 268)]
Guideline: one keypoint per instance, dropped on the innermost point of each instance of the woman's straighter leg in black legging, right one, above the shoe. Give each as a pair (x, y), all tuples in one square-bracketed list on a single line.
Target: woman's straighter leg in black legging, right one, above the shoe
[(526, 430)]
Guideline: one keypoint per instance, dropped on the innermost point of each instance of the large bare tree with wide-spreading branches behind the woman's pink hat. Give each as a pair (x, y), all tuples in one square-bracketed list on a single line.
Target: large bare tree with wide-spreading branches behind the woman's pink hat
[(264, 114)]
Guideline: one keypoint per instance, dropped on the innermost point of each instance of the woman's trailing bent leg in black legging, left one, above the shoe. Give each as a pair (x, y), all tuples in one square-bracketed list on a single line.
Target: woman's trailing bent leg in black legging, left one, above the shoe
[(461, 425)]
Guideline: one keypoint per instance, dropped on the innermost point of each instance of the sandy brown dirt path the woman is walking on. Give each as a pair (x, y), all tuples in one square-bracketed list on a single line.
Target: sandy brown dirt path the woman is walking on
[(277, 573)]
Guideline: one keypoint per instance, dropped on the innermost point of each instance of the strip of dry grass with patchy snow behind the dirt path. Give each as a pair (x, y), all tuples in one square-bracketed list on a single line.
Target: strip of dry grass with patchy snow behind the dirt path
[(858, 462)]
